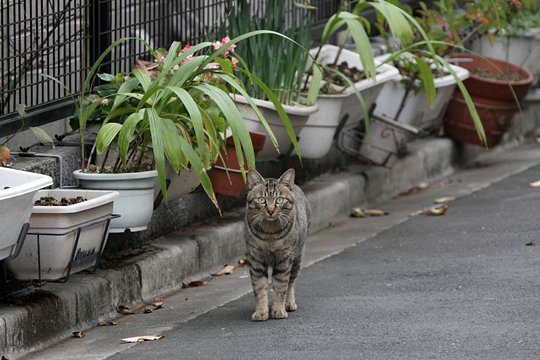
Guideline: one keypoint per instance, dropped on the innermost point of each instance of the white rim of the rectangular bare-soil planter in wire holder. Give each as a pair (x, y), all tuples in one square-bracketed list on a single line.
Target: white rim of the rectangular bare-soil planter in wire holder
[(102, 197)]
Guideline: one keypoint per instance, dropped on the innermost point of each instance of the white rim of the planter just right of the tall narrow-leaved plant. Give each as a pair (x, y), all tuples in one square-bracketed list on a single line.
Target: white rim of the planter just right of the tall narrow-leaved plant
[(387, 73)]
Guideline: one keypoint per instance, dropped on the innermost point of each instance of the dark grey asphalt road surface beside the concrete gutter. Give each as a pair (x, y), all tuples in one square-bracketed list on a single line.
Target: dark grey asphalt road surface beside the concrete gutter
[(465, 285)]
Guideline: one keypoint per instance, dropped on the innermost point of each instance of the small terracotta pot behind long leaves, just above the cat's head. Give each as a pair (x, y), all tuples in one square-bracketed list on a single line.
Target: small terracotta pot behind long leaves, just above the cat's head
[(220, 181)]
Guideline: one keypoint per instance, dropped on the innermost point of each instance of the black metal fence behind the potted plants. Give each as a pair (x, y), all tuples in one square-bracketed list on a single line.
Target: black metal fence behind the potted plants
[(63, 38)]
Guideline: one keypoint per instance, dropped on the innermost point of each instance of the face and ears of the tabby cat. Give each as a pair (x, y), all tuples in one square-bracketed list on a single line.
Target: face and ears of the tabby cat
[(270, 199)]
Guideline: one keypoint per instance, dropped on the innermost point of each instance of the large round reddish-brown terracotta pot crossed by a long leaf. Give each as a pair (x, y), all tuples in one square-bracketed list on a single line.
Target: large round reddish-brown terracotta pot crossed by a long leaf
[(493, 100)]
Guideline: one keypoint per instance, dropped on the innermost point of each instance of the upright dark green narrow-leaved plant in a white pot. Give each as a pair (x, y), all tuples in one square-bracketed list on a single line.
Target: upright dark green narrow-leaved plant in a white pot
[(274, 63)]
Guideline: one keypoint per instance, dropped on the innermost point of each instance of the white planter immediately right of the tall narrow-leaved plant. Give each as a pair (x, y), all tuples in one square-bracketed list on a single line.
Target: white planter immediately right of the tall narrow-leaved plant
[(317, 135)]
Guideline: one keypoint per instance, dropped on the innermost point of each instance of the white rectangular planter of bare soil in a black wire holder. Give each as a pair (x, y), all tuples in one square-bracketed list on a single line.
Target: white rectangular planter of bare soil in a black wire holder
[(71, 238)]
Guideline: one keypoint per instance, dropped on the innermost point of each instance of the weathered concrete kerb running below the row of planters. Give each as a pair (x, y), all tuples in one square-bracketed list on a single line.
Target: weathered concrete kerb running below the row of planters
[(54, 311)]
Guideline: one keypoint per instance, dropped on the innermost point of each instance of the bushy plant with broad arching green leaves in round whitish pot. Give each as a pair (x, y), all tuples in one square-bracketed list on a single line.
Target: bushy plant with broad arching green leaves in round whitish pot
[(175, 110)]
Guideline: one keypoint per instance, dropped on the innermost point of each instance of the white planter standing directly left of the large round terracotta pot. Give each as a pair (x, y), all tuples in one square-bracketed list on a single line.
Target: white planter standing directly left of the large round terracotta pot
[(417, 112)]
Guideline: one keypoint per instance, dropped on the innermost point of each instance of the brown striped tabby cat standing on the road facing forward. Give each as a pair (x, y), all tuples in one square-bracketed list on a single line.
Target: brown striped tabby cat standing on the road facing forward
[(276, 227)]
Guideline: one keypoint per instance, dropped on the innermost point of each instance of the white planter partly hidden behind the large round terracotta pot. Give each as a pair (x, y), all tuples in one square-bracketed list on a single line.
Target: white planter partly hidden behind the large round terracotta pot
[(523, 51)]
